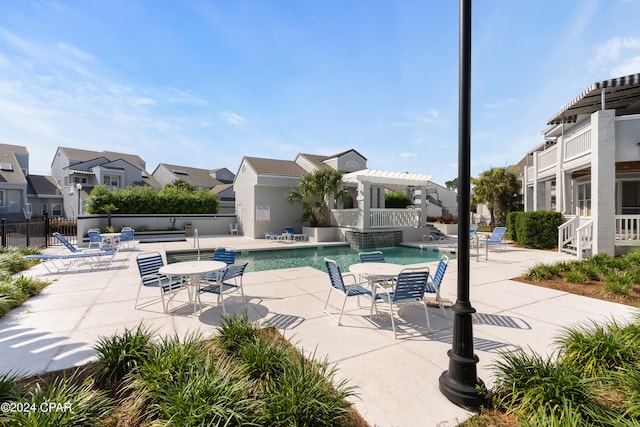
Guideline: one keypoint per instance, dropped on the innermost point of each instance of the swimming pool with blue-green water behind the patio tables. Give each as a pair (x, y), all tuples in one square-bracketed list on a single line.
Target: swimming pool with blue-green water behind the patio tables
[(314, 257)]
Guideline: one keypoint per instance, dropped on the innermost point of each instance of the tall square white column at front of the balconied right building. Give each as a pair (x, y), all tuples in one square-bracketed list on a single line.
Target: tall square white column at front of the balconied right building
[(603, 180)]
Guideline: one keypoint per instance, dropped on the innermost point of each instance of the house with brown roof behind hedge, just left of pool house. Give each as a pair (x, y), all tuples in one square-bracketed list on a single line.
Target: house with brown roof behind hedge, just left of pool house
[(219, 181)]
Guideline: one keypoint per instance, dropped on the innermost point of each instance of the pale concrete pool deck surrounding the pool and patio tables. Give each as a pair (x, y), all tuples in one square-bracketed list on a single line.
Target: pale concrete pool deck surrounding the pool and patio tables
[(396, 379)]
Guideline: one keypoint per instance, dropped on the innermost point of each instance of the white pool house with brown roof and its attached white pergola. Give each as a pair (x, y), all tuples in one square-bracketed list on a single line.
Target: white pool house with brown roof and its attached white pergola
[(262, 185)]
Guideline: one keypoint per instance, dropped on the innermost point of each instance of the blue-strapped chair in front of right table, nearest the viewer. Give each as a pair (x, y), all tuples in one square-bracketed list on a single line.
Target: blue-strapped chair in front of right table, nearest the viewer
[(409, 288)]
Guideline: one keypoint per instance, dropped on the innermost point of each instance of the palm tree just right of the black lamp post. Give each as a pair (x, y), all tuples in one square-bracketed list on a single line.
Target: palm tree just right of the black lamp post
[(500, 190)]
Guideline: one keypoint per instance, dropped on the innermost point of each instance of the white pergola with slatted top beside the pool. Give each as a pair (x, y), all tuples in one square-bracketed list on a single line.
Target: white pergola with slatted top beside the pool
[(365, 179)]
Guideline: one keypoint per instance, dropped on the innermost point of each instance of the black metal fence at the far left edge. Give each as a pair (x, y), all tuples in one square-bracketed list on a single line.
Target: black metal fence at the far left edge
[(37, 232)]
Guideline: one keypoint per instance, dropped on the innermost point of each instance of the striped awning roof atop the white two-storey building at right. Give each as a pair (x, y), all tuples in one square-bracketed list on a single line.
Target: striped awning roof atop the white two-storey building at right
[(621, 94)]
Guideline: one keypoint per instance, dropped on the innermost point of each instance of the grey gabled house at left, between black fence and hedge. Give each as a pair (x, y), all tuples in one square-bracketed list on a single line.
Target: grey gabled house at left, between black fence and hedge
[(77, 171)]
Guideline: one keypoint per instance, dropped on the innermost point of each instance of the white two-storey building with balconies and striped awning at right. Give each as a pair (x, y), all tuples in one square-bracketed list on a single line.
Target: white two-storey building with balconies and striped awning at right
[(588, 168)]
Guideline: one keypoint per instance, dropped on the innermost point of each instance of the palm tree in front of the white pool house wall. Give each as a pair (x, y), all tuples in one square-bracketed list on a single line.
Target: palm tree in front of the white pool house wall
[(314, 193)]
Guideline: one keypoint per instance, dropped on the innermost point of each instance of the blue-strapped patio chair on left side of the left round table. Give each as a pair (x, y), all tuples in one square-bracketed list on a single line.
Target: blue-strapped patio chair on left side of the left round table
[(149, 264)]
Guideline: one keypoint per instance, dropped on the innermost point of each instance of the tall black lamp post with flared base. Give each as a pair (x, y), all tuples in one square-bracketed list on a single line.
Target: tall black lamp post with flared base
[(460, 384)]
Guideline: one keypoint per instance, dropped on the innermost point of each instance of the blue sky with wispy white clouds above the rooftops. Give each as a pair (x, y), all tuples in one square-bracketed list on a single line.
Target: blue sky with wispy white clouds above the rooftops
[(202, 83)]
